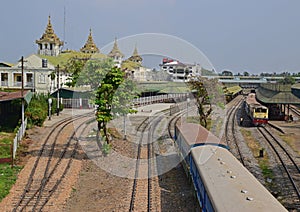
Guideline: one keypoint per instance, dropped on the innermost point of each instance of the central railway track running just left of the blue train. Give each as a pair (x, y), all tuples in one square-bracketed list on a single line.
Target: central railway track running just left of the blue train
[(146, 182)]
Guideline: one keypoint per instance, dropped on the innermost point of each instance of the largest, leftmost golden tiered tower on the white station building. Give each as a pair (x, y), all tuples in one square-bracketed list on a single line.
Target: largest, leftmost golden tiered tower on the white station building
[(49, 43)]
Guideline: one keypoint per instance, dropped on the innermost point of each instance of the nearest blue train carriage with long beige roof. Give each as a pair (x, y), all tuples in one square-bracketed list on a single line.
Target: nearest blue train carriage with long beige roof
[(222, 183)]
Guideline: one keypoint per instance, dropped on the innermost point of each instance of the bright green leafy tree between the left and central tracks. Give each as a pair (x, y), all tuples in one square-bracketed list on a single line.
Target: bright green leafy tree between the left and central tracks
[(113, 93)]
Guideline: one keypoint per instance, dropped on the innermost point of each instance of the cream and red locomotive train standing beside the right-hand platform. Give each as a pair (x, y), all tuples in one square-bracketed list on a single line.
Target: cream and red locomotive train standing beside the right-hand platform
[(257, 112)]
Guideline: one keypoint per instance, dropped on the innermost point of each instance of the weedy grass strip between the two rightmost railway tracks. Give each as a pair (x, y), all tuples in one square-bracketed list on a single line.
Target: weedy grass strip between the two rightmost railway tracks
[(263, 162)]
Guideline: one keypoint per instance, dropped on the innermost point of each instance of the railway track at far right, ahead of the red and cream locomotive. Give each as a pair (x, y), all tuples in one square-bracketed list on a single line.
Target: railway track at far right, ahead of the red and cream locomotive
[(291, 179)]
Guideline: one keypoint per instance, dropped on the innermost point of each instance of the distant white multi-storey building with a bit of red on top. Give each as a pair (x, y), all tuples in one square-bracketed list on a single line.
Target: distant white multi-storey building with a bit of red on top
[(178, 71)]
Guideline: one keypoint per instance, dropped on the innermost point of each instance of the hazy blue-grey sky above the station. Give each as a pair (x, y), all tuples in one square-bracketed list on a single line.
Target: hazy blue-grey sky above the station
[(254, 36)]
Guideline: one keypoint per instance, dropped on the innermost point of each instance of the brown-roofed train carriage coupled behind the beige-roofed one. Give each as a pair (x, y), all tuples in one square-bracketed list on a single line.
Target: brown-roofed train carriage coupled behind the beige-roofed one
[(190, 135)]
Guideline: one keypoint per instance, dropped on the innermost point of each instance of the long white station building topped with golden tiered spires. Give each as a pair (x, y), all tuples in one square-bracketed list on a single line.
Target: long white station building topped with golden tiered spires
[(40, 70)]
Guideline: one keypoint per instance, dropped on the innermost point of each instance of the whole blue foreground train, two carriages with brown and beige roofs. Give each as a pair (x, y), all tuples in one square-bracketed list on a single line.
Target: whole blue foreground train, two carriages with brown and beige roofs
[(220, 181)]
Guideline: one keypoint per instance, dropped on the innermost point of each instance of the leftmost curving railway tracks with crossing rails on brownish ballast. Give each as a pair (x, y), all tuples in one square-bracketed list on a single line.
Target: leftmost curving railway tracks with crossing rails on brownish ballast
[(51, 165)]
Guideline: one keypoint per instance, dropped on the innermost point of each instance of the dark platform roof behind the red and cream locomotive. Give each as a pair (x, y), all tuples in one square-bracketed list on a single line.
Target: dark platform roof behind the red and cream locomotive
[(276, 94)]
